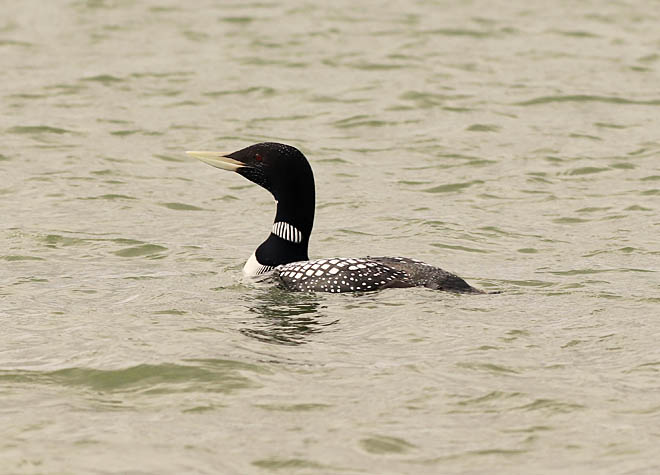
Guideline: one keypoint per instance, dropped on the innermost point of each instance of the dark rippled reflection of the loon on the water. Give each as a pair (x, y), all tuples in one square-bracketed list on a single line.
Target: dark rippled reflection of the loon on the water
[(285, 318)]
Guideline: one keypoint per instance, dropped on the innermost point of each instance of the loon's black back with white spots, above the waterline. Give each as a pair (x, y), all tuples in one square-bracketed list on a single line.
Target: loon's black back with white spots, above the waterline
[(365, 274)]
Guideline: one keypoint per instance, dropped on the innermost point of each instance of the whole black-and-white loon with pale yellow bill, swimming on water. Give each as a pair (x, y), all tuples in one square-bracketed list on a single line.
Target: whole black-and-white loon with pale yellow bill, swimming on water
[(285, 172)]
